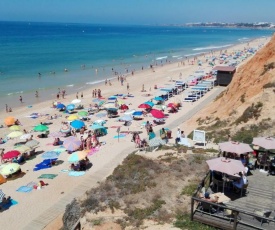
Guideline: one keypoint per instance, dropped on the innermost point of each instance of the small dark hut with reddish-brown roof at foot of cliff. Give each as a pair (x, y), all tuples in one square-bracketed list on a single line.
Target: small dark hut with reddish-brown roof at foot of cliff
[(224, 74)]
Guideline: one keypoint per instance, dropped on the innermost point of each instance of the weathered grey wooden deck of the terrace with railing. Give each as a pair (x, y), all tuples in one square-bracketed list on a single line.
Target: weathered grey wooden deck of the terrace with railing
[(260, 196)]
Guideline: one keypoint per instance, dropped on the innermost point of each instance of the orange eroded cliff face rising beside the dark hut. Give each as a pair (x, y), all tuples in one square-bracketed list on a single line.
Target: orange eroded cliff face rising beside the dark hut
[(252, 83)]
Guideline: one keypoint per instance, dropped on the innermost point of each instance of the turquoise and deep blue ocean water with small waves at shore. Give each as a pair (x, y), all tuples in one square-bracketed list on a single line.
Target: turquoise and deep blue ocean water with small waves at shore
[(33, 56)]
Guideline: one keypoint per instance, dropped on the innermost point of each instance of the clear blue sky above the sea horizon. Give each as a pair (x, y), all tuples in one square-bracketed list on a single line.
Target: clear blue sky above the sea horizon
[(137, 11)]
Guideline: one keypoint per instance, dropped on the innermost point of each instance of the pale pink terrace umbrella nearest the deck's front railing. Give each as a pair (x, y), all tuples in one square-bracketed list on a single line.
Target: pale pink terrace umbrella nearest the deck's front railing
[(227, 166)]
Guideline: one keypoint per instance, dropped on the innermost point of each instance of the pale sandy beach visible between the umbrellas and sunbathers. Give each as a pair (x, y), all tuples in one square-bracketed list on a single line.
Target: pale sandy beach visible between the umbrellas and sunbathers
[(33, 204)]
